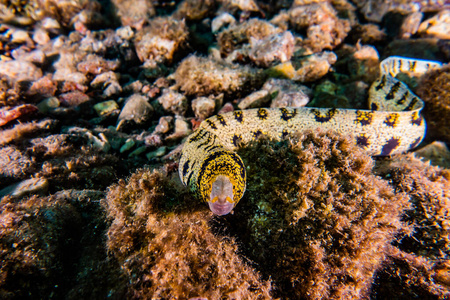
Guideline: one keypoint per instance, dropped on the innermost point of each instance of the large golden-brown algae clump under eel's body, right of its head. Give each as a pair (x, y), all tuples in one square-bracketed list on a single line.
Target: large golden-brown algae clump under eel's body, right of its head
[(314, 218)]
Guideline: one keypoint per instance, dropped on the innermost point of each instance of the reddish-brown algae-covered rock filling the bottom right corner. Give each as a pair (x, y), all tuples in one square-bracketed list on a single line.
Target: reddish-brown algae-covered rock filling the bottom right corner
[(419, 264)]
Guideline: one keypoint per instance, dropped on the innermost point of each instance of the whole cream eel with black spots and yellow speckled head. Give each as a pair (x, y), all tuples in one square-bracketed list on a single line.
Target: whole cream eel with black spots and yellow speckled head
[(392, 125)]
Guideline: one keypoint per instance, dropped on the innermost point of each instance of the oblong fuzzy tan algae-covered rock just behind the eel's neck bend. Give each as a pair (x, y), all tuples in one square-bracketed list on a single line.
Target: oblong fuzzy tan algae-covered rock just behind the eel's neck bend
[(201, 76)]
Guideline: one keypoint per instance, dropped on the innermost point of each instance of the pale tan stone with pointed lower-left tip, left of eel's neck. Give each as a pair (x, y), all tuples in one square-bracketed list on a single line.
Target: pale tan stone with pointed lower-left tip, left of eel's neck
[(136, 109)]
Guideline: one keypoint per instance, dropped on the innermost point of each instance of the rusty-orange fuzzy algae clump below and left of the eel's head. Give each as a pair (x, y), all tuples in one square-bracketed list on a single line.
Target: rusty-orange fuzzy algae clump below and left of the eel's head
[(165, 246)]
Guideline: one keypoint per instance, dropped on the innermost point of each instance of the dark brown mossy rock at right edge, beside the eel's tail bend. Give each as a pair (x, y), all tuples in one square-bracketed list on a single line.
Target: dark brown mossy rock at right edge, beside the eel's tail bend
[(434, 89)]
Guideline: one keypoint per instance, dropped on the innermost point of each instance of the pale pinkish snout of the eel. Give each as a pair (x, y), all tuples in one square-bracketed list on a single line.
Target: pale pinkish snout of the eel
[(221, 197)]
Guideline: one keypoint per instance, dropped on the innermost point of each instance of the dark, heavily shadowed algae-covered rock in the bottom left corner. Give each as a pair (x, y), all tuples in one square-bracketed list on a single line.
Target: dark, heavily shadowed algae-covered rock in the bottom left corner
[(52, 247)]
